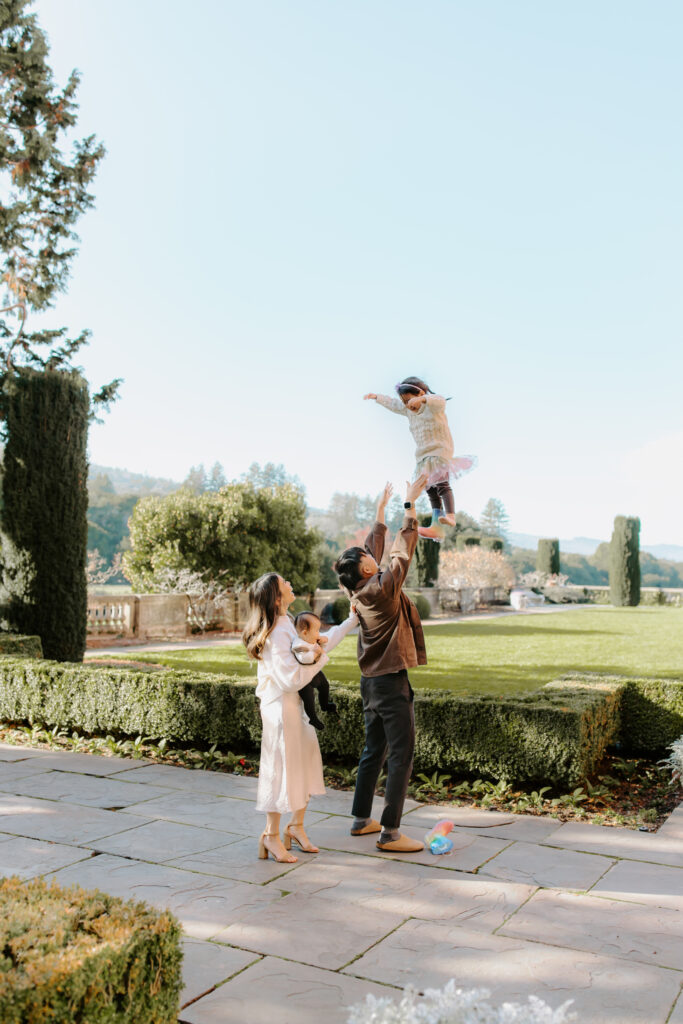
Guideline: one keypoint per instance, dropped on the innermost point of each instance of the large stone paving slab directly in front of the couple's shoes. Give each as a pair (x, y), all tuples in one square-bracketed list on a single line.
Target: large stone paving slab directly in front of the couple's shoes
[(408, 889)]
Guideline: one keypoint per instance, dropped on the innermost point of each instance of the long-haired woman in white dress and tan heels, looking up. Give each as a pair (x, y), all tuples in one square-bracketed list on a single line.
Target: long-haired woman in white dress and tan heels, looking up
[(291, 769)]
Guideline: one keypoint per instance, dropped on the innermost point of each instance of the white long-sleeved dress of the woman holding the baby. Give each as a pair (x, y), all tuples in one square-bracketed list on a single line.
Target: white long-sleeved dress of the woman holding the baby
[(291, 769)]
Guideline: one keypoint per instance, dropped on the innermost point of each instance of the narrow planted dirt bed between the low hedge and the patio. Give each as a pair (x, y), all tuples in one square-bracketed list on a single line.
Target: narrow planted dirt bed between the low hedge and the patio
[(633, 793)]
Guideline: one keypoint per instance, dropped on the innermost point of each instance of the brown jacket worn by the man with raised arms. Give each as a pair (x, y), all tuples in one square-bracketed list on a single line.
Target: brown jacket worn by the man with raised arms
[(391, 637)]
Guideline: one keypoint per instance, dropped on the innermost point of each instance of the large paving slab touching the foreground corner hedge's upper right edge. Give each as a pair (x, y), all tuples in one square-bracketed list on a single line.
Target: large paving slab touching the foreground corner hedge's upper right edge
[(204, 906)]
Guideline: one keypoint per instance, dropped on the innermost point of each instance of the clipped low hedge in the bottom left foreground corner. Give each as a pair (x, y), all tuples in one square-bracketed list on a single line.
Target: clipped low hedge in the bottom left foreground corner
[(72, 955)]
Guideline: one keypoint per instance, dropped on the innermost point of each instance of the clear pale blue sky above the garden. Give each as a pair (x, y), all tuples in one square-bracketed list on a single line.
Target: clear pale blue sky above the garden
[(307, 201)]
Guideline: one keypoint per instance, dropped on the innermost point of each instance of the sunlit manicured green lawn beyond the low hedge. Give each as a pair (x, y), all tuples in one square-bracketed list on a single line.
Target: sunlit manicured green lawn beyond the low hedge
[(508, 655)]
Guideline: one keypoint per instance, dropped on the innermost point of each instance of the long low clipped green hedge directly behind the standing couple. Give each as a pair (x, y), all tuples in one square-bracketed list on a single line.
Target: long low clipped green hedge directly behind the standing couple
[(556, 736)]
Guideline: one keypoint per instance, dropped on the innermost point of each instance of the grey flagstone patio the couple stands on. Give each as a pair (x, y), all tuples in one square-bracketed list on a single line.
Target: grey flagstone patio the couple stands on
[(523, 906)]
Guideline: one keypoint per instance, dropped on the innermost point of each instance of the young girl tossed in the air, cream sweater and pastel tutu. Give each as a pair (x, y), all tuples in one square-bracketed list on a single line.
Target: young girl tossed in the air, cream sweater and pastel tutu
[(429, 424)]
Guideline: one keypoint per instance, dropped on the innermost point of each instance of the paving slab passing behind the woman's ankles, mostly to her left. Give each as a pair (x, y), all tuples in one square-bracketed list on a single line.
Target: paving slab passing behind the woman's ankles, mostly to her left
[(225, 814)]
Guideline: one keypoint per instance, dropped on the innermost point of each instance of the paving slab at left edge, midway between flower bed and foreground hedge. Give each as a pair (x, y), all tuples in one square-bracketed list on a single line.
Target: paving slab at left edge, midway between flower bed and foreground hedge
[(58, 822)]
